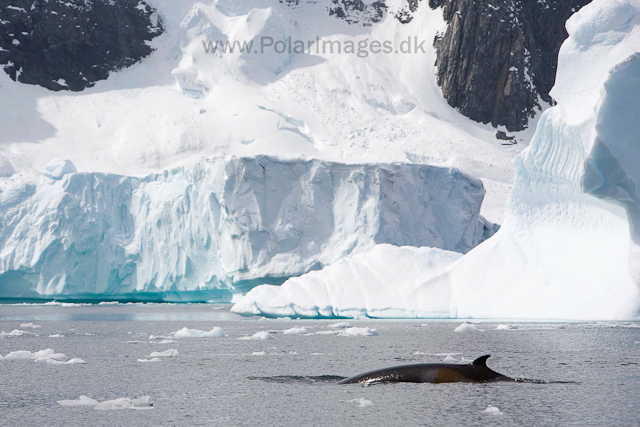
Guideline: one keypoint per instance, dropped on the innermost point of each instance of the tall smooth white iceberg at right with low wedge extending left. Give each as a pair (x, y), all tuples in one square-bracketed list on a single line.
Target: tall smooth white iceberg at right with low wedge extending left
[(569, 244)]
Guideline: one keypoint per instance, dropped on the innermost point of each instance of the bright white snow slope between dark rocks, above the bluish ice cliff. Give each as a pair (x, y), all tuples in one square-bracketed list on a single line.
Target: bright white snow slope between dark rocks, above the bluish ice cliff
[(181, 104)]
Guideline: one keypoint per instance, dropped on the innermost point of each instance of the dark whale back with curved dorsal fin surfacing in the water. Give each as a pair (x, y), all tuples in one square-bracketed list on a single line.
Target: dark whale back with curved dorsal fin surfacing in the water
[(435, 373)]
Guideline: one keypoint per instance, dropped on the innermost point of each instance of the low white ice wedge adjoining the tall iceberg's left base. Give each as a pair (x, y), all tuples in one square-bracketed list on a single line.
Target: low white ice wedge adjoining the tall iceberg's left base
[(383, 282)]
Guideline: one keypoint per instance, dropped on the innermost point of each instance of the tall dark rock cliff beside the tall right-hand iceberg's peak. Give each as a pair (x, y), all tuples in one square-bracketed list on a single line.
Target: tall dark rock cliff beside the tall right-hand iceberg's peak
[(498, 58)]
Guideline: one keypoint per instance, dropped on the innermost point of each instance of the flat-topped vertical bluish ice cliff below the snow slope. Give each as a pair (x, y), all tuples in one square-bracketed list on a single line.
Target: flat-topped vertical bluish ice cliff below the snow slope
[(217, 228)]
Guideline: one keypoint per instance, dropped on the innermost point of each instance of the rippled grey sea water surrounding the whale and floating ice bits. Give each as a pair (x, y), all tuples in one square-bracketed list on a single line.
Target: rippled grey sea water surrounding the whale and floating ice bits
[(219, 381)]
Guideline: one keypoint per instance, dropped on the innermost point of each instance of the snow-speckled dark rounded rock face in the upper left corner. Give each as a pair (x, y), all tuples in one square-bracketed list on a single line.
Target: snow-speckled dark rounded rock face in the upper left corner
[(72, 44)]
